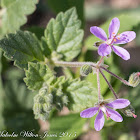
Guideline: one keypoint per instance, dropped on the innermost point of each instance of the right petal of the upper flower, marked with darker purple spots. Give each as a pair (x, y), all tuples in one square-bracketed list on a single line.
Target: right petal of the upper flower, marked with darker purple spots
[(125, 37)]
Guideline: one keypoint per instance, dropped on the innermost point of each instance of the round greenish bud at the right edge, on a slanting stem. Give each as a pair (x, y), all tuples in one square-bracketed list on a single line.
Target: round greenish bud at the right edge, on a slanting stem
[(134, 79)]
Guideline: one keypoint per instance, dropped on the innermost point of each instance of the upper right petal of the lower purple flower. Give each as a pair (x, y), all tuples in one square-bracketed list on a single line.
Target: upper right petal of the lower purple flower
[(119, 103)]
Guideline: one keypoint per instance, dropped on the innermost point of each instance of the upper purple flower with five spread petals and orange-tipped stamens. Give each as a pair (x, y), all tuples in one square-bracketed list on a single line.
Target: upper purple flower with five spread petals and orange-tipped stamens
[(105, 48)]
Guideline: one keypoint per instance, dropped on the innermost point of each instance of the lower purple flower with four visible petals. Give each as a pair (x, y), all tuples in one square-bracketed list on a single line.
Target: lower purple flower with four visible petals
[(104, 107)]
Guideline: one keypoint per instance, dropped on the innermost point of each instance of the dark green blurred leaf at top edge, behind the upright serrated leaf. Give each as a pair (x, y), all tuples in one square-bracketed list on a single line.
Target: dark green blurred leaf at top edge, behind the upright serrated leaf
[(64, 5)]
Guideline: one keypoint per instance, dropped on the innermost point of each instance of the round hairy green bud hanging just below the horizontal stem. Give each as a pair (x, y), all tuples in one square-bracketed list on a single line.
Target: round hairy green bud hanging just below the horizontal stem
[(85, 70)]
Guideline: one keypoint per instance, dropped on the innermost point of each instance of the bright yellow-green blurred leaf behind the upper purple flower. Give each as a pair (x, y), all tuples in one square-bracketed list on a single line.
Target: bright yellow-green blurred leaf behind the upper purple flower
[(131, 18)]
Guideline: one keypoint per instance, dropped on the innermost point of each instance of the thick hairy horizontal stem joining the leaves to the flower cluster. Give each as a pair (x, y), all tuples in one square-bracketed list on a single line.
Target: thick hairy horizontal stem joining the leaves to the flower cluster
[(73, 64)]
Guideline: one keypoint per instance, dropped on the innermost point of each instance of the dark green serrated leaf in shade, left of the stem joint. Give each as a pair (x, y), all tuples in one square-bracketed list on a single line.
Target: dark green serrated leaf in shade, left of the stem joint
[(21, 47)]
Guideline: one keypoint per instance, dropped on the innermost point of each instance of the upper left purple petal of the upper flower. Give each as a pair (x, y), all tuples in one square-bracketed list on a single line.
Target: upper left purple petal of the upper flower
[(98, 32)]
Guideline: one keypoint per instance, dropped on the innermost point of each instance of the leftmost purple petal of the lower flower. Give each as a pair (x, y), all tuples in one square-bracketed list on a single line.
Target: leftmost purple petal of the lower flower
[(88, 113)]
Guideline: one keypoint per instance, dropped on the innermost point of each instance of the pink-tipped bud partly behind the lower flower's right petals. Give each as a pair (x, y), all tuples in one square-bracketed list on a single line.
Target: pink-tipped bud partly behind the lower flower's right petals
[(129, 111)]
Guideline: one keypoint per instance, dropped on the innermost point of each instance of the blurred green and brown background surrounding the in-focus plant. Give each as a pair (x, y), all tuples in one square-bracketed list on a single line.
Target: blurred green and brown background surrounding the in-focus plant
[(16, 100)]
